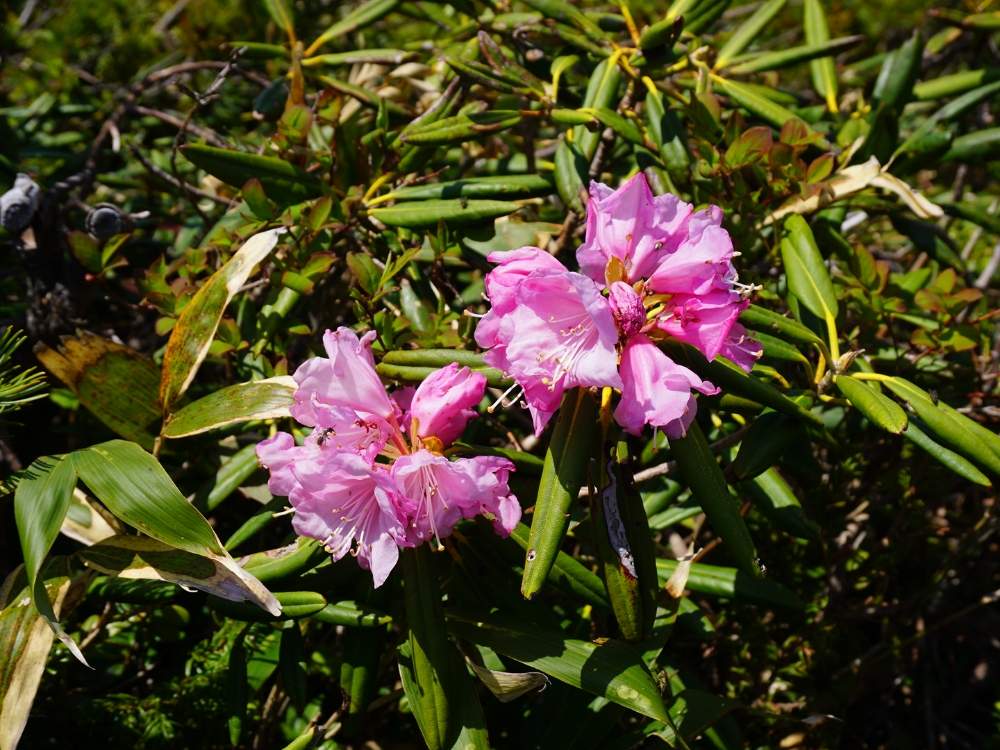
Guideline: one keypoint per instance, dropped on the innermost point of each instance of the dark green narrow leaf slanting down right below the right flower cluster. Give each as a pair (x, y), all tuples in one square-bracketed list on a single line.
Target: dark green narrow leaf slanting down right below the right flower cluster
[(702, 474)]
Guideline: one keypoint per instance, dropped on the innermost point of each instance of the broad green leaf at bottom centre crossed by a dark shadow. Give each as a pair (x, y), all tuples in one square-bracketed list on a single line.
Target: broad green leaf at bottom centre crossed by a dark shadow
[(611, 669)]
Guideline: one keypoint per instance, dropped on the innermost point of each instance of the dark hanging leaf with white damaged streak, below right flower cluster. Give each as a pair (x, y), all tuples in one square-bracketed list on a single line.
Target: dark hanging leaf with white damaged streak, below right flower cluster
[(624, 545)]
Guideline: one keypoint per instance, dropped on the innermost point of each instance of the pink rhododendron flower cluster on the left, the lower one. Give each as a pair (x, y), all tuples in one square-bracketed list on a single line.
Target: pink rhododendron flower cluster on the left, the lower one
[(371, 477)]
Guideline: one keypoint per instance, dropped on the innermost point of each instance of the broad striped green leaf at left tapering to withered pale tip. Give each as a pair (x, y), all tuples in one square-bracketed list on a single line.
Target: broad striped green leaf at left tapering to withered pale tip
[(133, 486)]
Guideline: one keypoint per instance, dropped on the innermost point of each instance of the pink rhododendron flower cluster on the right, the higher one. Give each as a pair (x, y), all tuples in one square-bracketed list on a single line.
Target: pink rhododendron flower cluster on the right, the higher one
[(651, 269)]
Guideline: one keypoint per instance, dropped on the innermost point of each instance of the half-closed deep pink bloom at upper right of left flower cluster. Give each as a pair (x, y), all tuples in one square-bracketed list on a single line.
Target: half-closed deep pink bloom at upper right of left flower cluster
[(442, 404)]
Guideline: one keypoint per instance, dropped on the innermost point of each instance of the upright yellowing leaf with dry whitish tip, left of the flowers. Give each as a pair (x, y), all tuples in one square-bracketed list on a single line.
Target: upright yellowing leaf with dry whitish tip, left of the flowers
[(192, 335)]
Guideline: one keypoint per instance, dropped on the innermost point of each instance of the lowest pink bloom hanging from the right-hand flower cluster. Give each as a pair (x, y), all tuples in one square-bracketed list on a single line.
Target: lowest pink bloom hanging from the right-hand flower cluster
[(657, 391)]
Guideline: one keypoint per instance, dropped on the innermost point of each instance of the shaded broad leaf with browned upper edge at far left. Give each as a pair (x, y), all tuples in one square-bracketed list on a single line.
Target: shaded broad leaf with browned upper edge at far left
[(117, 384)]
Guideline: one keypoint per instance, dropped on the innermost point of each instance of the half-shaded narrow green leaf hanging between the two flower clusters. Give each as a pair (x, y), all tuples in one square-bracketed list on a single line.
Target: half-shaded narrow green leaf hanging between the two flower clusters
[(564, 472)]
